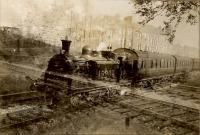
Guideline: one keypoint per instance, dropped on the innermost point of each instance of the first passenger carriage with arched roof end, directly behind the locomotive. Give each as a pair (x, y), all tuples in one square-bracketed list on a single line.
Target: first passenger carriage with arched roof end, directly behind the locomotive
[(146, 64)]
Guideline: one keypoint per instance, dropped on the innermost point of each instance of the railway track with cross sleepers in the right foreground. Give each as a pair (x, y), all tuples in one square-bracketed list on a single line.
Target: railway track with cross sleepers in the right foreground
[(157, 114)]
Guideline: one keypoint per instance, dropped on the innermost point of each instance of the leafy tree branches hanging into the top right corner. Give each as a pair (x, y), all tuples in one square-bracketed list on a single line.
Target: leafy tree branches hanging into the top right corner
[(175, 11)]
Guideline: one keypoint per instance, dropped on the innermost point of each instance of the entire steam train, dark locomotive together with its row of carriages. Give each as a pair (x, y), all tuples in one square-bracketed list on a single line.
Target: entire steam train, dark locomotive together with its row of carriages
[(122, 63)]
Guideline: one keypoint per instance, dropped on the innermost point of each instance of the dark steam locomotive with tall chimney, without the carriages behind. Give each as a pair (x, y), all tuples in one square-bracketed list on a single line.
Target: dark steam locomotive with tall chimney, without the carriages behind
[(91, 63)]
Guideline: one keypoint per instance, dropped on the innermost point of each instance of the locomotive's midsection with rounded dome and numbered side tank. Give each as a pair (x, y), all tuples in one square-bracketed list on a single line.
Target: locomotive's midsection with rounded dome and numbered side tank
[(99, 64)]
